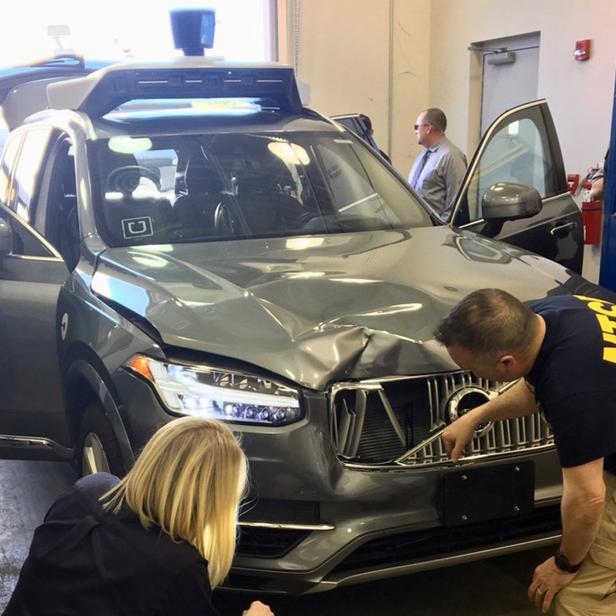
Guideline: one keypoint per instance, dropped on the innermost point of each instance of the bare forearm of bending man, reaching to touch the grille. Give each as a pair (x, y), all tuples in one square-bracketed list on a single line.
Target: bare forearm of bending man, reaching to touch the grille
[(515, 402)]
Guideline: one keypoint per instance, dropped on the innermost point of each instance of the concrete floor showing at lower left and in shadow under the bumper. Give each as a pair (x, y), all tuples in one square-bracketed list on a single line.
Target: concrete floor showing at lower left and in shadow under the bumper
[(495, 587)]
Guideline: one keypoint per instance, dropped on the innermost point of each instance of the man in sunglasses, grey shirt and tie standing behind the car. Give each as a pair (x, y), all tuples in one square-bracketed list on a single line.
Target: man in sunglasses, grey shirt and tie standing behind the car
[(438, 171)]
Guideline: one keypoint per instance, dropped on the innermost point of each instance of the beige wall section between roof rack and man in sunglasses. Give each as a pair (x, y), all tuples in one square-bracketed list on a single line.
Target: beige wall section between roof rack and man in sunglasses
[(358, 55)]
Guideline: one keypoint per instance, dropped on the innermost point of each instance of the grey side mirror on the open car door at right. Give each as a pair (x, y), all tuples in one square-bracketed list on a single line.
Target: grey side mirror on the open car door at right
[(507, 201)]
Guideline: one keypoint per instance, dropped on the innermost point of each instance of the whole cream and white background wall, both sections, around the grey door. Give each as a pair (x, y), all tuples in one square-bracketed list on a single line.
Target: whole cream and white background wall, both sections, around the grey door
[(345, 48)]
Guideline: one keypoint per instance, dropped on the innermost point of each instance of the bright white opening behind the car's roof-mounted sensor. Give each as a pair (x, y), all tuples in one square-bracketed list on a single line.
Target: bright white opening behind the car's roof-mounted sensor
[(117, 29)]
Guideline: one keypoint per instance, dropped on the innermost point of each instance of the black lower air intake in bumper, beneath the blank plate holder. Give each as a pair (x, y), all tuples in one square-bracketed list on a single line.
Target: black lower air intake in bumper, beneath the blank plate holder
[(409, 547)]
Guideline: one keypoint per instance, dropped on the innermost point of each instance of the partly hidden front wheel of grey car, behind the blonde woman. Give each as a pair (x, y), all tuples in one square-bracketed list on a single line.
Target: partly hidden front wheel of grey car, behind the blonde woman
[(98, 447)]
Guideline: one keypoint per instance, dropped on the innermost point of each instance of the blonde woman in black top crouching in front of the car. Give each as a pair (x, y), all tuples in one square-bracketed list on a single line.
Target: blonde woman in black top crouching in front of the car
[(151, 544)]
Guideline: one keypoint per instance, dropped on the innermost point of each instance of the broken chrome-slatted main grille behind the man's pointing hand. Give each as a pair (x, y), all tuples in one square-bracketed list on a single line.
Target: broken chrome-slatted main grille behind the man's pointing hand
[(395, 421)]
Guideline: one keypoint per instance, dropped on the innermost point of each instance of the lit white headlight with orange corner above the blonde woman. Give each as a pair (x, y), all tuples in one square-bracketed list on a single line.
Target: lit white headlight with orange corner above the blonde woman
[(219, 394)]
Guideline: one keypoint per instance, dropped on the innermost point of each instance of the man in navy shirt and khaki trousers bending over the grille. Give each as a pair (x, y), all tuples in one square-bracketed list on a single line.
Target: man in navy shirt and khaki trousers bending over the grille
[(561, 350)]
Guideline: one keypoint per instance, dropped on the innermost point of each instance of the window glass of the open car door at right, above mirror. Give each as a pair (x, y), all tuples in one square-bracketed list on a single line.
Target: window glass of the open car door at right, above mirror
[(518, 152)]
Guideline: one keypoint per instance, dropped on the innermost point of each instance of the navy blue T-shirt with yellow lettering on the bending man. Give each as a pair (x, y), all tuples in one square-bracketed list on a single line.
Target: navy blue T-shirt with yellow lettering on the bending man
[(574, 377)]
